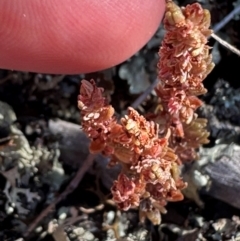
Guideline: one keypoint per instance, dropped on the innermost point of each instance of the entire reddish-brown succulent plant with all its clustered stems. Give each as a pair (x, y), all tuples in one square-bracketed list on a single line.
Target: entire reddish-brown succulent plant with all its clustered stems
[(151, 150)]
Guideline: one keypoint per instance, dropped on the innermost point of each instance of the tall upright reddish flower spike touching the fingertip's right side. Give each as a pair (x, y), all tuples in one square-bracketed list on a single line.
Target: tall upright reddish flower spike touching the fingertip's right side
[(184, 64)]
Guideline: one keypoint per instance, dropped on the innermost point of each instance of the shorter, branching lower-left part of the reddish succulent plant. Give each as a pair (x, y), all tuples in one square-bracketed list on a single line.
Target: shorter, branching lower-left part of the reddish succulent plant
[(150, 174)]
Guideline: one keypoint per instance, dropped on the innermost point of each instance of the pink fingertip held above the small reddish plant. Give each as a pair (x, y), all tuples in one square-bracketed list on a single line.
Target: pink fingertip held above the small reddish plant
[(74, 36)]
